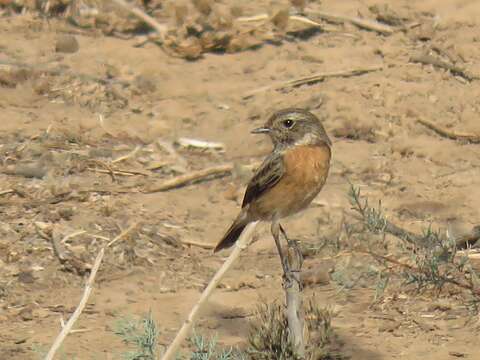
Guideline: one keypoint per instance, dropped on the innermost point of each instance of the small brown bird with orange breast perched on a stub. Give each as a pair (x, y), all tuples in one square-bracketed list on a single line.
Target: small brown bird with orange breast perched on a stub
[(289, 178)]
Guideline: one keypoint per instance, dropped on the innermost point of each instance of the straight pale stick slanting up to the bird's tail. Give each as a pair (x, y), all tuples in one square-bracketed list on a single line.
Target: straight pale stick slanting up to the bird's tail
[(241, 244)]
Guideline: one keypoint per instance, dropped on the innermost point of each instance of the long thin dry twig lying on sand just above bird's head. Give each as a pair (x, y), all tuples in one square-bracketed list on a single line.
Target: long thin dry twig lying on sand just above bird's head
[(312, 79)]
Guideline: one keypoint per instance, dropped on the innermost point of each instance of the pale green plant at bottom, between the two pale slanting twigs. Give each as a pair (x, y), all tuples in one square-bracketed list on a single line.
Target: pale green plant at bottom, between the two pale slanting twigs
[(141, 334)]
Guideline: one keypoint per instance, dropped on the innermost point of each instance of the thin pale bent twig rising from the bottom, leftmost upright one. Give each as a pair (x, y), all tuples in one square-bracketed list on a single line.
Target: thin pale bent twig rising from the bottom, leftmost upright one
[(86, 294)]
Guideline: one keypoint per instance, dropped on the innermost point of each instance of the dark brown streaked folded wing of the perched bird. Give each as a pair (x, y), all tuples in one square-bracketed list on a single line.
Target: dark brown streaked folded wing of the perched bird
[(267, 175)]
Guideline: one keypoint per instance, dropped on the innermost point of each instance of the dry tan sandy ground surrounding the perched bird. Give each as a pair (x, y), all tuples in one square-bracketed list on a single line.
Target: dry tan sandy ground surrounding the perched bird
[(64, 128)]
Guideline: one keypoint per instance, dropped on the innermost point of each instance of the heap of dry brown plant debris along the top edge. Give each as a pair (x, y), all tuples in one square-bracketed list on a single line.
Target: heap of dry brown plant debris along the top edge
[(200, 26)]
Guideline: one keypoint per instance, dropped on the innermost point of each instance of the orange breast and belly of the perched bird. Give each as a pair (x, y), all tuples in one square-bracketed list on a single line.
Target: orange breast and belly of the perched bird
[(306, 170)]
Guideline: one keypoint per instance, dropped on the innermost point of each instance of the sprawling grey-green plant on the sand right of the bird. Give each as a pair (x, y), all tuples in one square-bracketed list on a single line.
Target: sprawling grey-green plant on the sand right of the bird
[(434, 259)]
